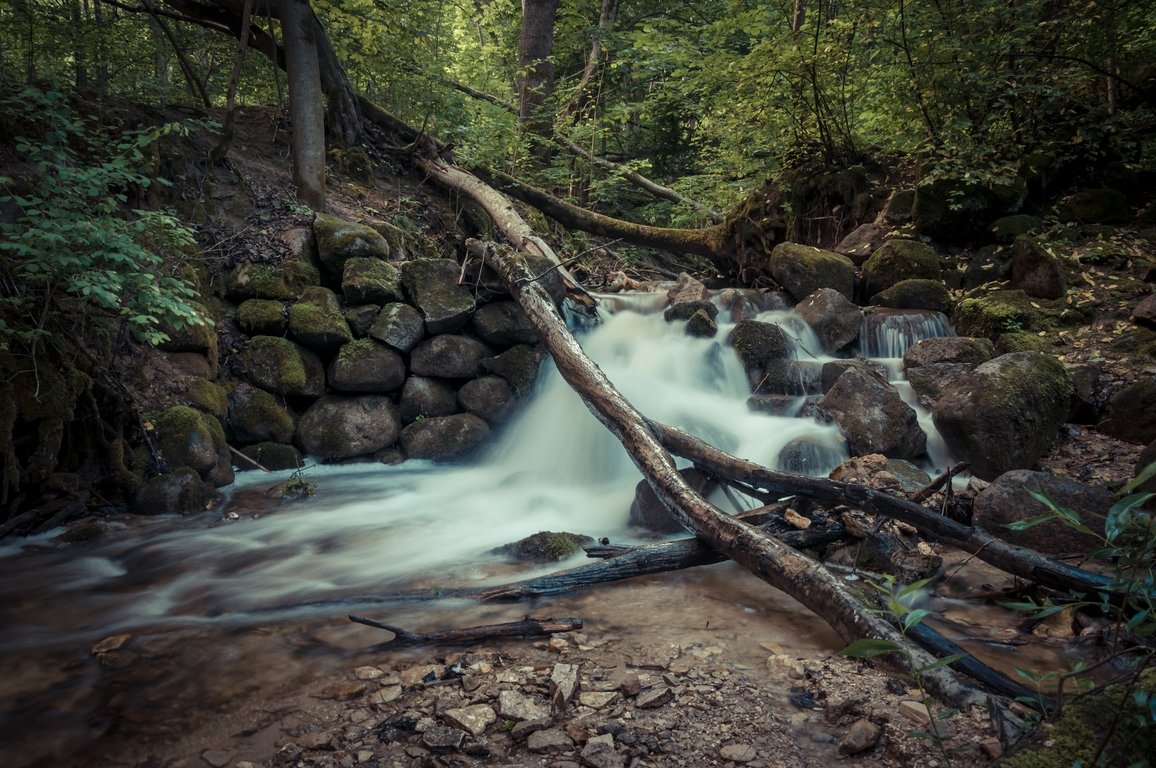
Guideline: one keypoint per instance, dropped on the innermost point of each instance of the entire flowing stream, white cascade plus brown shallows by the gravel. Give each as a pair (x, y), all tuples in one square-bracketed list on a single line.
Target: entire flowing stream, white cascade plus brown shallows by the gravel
[(253, 599)]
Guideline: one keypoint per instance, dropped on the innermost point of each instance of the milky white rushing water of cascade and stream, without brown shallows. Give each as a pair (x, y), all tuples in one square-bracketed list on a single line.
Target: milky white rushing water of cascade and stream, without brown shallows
[(373, 529)]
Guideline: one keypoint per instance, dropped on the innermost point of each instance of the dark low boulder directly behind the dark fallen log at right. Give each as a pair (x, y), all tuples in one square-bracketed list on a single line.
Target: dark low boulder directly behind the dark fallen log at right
[(1009, 500)]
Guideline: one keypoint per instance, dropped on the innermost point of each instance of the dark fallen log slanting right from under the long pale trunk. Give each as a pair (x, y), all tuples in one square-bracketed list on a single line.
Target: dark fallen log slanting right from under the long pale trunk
[(1014, 560)]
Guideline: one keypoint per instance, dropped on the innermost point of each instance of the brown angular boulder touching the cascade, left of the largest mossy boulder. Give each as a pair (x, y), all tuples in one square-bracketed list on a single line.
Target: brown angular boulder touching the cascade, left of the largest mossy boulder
[(873, 417)]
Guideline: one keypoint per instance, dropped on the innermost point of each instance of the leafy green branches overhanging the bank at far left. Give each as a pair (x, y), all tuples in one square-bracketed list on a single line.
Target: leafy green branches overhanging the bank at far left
[(75, 249)]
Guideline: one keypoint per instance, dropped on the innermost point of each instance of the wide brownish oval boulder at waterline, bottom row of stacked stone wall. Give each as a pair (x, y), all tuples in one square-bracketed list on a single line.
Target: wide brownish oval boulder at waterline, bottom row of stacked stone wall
[(340, 427)]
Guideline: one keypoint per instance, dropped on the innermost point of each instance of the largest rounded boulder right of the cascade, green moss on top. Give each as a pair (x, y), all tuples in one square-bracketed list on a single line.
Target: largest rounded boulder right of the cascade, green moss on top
[(1005, 413)]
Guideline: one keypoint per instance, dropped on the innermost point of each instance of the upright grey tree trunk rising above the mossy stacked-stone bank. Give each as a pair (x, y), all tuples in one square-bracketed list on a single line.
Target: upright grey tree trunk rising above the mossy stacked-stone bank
[(307, 113)]
